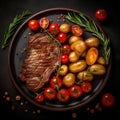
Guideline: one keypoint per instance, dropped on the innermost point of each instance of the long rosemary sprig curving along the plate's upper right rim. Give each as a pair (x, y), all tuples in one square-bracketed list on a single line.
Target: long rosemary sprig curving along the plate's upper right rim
[(90, 26)]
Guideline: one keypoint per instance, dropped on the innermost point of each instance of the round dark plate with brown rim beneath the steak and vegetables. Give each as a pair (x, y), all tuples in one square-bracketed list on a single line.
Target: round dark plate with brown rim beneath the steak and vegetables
[(16, 58)]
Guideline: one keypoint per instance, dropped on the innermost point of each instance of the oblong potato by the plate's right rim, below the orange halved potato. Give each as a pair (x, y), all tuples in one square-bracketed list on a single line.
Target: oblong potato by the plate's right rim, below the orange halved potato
[(97, 69)]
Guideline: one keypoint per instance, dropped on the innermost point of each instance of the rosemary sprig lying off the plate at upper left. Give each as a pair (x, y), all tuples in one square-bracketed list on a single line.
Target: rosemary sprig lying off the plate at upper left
[(18, 19)]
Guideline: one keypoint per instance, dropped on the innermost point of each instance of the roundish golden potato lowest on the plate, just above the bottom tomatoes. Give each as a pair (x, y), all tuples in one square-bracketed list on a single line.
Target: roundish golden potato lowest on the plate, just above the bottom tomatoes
[(69, 79)]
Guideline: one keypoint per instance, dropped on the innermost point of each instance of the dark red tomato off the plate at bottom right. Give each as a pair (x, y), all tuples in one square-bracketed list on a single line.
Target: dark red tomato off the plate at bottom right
[(108, 100)]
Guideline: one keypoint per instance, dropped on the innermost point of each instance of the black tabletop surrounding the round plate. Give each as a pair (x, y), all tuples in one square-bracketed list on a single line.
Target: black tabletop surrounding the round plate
[(8, 10)]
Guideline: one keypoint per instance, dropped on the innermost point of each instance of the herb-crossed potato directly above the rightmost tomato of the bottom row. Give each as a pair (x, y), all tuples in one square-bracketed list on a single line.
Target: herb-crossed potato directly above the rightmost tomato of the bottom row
[(85, 76)]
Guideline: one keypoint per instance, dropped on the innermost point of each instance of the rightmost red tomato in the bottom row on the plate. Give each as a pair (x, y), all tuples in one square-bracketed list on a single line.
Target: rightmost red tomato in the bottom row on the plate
[(86, 87)]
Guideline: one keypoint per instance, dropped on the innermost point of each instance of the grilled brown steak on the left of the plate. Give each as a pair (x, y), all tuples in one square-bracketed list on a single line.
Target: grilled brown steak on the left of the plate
[(41, 61)]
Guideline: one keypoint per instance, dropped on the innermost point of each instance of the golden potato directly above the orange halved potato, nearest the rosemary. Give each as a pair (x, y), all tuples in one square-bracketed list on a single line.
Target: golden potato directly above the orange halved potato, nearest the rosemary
[(92, 42)]
